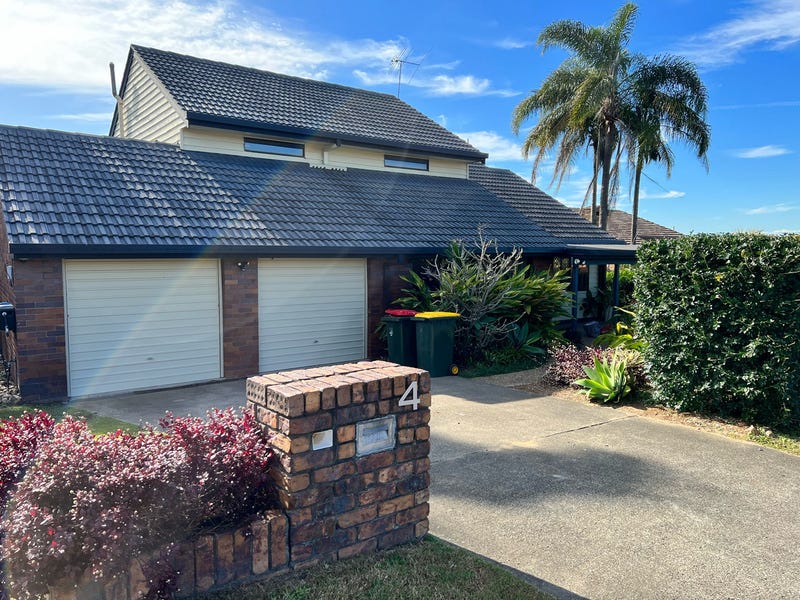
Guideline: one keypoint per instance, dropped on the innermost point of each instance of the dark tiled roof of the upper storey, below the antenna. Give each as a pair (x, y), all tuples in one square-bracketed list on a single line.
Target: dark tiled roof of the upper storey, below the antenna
[(230, 94)]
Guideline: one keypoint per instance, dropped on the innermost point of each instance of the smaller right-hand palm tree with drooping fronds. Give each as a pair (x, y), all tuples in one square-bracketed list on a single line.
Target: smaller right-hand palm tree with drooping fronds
[(668, 101)]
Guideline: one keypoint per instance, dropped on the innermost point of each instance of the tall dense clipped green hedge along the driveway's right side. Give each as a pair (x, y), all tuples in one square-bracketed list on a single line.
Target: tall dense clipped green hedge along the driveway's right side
[(721, 317)]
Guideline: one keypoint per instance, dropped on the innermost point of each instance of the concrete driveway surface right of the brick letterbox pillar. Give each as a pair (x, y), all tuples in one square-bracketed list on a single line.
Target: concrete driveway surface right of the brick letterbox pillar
[(597, 503)]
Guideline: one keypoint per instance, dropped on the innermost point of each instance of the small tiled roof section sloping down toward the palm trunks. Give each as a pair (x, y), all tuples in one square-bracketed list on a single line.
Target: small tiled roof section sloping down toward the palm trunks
[(549, 213)]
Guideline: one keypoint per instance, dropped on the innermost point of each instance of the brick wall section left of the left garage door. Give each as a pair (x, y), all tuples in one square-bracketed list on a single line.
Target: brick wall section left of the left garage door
[(41, 347)]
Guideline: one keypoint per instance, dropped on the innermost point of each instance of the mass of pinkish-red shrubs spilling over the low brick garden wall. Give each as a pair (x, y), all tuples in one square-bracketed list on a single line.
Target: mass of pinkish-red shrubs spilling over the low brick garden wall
[(89, 505)]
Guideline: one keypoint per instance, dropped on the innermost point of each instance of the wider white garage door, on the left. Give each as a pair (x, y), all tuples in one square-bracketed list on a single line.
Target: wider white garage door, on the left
[(136, 324)]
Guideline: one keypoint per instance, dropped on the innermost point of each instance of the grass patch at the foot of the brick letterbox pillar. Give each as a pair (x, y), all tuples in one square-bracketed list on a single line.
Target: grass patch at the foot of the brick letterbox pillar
[(429, 570)]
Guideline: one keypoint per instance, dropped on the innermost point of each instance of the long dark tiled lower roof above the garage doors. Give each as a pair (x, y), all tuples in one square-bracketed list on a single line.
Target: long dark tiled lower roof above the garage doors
[(95, 192)]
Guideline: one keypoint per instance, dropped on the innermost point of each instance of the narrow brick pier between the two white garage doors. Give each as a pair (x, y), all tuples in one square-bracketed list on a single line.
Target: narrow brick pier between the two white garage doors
[(240, 318)]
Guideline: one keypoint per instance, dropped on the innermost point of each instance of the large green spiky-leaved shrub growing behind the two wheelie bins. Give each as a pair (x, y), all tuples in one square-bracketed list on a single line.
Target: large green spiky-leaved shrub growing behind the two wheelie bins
[(494, 292)]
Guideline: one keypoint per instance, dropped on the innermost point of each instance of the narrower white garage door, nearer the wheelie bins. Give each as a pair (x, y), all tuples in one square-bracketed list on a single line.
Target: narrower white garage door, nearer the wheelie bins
[(311, 312)]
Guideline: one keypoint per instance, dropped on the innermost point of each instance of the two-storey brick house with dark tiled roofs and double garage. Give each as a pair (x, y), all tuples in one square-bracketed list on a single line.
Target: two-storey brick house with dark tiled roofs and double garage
[(238, 221)]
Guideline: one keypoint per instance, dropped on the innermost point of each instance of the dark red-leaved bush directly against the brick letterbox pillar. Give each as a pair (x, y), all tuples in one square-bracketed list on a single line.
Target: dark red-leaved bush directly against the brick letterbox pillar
[(229, 459)]
